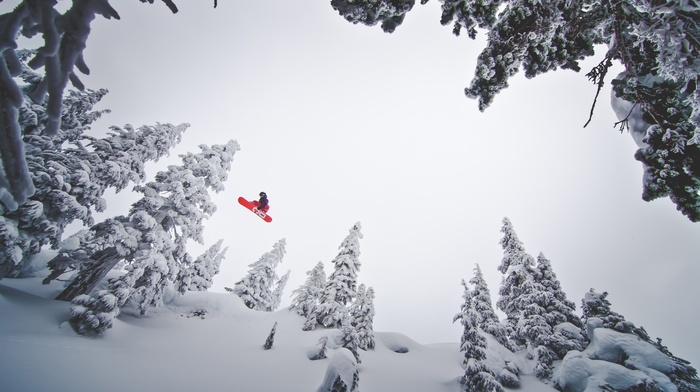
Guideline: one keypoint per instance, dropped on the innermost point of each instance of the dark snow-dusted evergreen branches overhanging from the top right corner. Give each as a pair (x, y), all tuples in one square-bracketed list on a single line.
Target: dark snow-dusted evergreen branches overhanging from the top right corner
[(658, 43)]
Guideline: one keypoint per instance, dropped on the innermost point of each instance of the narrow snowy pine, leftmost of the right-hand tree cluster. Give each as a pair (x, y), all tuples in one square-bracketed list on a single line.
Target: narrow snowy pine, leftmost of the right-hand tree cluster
[(477, 376)]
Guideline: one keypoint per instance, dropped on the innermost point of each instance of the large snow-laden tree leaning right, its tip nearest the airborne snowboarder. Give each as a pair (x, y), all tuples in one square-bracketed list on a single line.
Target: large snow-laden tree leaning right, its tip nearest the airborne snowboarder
[(152, 239)]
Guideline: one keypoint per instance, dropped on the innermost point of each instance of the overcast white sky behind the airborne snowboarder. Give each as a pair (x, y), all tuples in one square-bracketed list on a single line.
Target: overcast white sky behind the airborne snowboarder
[(341, 123)]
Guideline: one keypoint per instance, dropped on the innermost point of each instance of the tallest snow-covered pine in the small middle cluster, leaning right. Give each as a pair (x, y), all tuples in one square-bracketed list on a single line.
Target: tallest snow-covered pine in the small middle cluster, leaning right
[(341, 286)]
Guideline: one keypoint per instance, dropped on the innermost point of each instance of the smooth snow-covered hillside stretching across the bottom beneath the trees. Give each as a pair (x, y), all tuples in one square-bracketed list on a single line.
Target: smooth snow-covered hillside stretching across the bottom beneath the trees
[(213, 342)]
